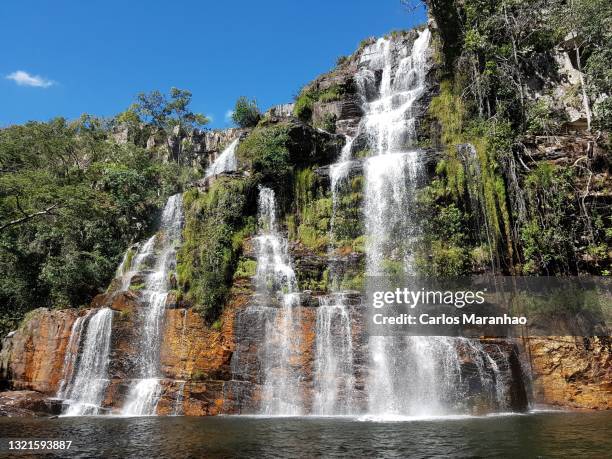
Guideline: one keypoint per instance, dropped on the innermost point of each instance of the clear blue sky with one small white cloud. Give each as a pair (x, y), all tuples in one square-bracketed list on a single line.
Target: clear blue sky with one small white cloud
[(64, 58)]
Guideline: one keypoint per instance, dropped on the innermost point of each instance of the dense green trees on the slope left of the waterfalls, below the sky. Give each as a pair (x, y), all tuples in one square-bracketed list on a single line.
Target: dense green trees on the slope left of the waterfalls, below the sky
[(72, 201)]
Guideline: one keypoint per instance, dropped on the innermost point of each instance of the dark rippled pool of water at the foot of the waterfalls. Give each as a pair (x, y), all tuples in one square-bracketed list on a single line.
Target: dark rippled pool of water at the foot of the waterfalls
[(543, 434)]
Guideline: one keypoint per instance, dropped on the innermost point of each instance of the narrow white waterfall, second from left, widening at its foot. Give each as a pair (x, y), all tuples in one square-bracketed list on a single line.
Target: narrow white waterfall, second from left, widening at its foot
[(145, 392)]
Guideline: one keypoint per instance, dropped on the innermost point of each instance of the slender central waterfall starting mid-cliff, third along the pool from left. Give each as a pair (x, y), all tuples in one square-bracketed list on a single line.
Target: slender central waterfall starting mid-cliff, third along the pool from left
[(275, 282)]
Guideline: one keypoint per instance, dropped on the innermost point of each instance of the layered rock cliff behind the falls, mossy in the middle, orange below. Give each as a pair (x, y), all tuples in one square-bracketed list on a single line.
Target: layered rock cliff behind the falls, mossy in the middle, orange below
[(210, 357)]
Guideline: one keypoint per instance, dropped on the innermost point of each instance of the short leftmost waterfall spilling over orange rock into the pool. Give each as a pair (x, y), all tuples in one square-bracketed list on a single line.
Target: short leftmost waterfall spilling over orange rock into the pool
[(85, 383)]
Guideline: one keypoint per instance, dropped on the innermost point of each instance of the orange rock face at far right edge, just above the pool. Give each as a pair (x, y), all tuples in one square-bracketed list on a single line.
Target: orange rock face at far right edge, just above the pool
[(572, 372)]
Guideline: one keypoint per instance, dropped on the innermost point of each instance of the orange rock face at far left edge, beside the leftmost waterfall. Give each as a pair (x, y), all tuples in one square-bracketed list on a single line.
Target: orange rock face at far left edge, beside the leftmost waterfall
[(33, 358)]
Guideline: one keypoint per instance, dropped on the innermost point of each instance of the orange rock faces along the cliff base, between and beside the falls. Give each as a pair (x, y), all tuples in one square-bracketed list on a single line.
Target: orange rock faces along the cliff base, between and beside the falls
[(196, 359)]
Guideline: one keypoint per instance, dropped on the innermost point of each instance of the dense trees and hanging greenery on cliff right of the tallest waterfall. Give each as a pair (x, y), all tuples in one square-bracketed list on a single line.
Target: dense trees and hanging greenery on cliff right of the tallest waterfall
[(506, 215)]
